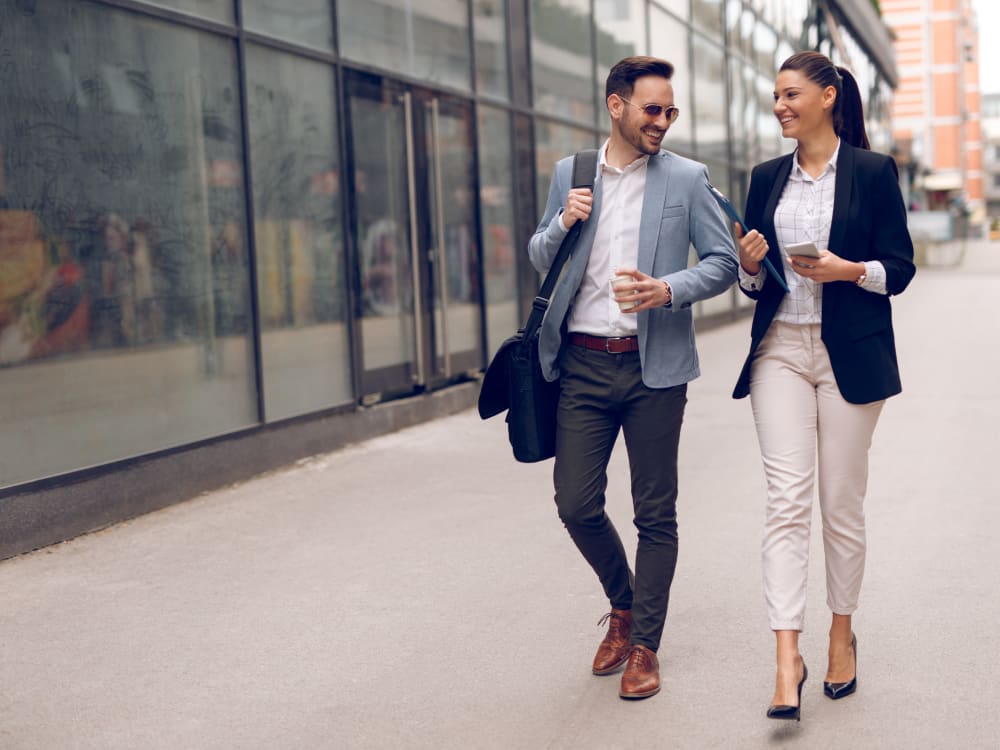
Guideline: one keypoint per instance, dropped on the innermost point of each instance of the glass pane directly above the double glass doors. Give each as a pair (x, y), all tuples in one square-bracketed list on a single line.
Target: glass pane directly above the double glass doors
[(426, 39)]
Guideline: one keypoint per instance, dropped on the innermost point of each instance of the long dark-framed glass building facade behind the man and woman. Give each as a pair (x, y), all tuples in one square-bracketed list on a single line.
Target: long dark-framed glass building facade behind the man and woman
[(224, 216)]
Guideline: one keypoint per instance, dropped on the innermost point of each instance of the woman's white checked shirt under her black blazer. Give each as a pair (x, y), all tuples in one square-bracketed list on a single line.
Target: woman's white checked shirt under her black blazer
[(804, 214)]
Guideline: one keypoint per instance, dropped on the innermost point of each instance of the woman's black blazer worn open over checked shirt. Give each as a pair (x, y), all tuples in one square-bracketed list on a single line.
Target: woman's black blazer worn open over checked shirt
[(869, 223)]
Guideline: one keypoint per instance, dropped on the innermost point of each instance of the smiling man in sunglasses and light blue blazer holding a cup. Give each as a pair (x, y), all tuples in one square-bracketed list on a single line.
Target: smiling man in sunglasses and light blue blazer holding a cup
[(628, 369)]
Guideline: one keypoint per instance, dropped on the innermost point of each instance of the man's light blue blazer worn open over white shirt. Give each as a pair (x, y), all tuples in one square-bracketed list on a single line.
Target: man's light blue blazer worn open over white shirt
[(677, 211)]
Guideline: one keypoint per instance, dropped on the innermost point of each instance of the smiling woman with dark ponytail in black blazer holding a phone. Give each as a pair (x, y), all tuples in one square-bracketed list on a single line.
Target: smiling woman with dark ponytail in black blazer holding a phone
[(822, 357)]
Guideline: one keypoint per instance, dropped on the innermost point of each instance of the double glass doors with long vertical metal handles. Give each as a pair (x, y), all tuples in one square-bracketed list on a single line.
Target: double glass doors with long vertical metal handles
[(414, 226)]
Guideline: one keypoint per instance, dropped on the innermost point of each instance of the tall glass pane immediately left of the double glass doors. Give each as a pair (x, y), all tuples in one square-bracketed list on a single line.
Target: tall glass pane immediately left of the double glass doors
[(305, 349)]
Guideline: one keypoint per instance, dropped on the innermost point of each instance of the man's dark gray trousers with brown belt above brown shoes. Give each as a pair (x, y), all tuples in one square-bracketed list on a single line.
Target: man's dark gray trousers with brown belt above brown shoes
[(601, 394)]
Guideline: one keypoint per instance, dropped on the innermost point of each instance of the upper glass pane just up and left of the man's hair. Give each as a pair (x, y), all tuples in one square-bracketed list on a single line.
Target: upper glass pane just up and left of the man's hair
[(562, 58)]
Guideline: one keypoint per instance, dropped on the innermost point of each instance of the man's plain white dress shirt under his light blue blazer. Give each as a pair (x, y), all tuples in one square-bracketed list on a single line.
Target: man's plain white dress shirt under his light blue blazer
[(616, 245)]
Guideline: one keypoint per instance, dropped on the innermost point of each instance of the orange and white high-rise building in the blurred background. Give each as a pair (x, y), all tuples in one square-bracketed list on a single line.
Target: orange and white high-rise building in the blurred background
[(937, 109)]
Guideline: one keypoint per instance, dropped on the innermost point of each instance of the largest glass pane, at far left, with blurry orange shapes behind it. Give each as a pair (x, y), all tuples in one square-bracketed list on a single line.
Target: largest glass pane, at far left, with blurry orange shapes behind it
[(124, 305)]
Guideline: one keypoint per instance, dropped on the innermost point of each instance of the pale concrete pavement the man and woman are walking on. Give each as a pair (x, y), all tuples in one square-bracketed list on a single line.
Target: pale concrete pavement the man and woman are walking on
[(418, 591)]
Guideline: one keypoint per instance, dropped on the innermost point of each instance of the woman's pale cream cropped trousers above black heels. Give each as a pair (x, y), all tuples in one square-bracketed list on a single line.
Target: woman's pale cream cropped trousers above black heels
[(806, 431)]
